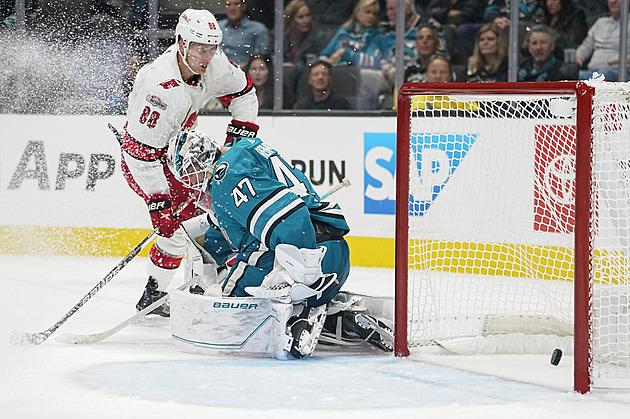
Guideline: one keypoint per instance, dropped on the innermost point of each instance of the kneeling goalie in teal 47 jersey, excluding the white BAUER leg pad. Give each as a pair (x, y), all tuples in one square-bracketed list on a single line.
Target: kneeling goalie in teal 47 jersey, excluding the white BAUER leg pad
[(290, 246)]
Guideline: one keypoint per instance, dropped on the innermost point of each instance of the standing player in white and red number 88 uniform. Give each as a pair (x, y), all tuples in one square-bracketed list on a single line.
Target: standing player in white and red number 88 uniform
[(166, 99)]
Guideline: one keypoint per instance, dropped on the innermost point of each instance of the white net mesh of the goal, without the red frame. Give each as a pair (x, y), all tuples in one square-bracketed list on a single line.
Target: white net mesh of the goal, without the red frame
[(491, 221)]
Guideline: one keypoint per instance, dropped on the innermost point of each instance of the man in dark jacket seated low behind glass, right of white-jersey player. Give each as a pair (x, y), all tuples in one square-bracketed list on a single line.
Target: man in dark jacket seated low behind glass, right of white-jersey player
[(320, 79)]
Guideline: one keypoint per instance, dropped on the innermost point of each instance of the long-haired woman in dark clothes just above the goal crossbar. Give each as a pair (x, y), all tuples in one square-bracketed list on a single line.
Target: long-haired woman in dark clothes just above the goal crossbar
[(489, 62)]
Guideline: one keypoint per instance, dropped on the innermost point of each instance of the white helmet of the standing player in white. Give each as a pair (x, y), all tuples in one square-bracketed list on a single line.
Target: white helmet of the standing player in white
[(198, 26)]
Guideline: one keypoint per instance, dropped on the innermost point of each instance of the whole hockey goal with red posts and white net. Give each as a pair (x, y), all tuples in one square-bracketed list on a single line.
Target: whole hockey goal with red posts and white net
[(494, 253)]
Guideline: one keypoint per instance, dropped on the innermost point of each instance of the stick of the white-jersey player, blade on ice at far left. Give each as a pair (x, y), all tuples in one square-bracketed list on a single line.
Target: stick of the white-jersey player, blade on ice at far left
[(19, 337)]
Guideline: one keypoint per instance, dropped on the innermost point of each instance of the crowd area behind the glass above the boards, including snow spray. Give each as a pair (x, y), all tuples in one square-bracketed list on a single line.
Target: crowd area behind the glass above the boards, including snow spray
[(71, 56)]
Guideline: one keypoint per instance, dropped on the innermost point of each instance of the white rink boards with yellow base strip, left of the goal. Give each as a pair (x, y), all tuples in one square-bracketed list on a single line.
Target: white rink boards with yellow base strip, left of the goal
[(62, 191)]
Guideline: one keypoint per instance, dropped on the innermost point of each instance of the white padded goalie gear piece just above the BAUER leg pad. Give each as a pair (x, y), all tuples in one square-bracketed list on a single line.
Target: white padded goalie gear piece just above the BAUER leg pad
[(296, 276)]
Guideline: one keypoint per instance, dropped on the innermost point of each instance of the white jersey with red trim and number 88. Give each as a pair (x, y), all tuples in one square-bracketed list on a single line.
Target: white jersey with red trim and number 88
[(161, 104)]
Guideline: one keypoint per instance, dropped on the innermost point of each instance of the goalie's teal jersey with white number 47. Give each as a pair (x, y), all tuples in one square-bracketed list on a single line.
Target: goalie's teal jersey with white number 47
[(259, 197)]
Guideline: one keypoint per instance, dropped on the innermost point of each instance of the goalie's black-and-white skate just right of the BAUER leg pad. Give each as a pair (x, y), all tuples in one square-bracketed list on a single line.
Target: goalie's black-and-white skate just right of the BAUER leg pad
[(304, 330)]
